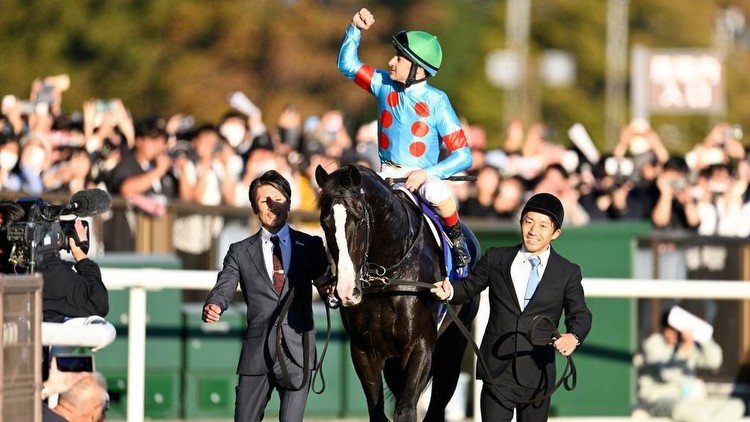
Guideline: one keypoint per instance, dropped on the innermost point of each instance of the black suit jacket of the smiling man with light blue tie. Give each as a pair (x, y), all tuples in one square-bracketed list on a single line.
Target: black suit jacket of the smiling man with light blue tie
[(505, 346)]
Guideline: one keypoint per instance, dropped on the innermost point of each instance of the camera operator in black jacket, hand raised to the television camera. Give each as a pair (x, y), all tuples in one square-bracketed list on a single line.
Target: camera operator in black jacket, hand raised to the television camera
[(70, 292)]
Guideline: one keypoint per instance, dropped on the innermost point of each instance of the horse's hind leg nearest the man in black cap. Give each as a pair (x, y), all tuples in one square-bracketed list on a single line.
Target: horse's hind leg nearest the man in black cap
[(449, 352)]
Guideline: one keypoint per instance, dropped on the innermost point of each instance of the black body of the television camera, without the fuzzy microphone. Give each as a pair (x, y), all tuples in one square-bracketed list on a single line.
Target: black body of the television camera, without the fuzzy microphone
[(42, 232)]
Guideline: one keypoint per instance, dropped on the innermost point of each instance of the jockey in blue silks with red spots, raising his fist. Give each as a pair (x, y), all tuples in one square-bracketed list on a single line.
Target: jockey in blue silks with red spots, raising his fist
[(414, 121)]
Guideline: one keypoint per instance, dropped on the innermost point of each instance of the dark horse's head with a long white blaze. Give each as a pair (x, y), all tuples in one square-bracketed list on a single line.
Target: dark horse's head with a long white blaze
[(346, 219)]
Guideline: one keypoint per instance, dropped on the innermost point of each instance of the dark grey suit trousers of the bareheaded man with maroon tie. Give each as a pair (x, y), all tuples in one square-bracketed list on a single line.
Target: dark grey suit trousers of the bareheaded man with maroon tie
[(254, 391)]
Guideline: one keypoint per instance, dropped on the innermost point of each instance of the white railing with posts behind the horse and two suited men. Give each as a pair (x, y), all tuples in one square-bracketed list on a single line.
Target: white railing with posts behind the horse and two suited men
[(138, 281)]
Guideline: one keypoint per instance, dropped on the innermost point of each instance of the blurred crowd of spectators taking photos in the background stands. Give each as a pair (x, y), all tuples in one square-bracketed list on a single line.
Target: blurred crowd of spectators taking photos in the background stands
[(154, 160)]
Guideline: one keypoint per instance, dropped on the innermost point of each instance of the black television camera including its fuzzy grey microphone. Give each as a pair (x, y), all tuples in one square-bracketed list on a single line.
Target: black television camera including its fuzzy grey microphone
[(47, 228)]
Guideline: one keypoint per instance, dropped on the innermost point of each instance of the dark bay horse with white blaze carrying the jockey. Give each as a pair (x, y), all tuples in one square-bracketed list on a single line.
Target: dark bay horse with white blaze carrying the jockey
[(379, 244)]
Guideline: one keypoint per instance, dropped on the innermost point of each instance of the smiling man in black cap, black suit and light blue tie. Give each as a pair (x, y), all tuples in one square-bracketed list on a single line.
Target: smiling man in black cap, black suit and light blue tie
[(525, 281)]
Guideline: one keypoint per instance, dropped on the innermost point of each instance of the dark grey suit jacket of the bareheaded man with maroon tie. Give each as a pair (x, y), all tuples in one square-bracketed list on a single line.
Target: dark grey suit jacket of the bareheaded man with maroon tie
[(244, 265)]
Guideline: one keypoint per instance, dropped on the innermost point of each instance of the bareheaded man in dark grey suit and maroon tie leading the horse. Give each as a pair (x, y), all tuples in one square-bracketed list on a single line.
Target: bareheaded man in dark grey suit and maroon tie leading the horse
[(267, 266)]
